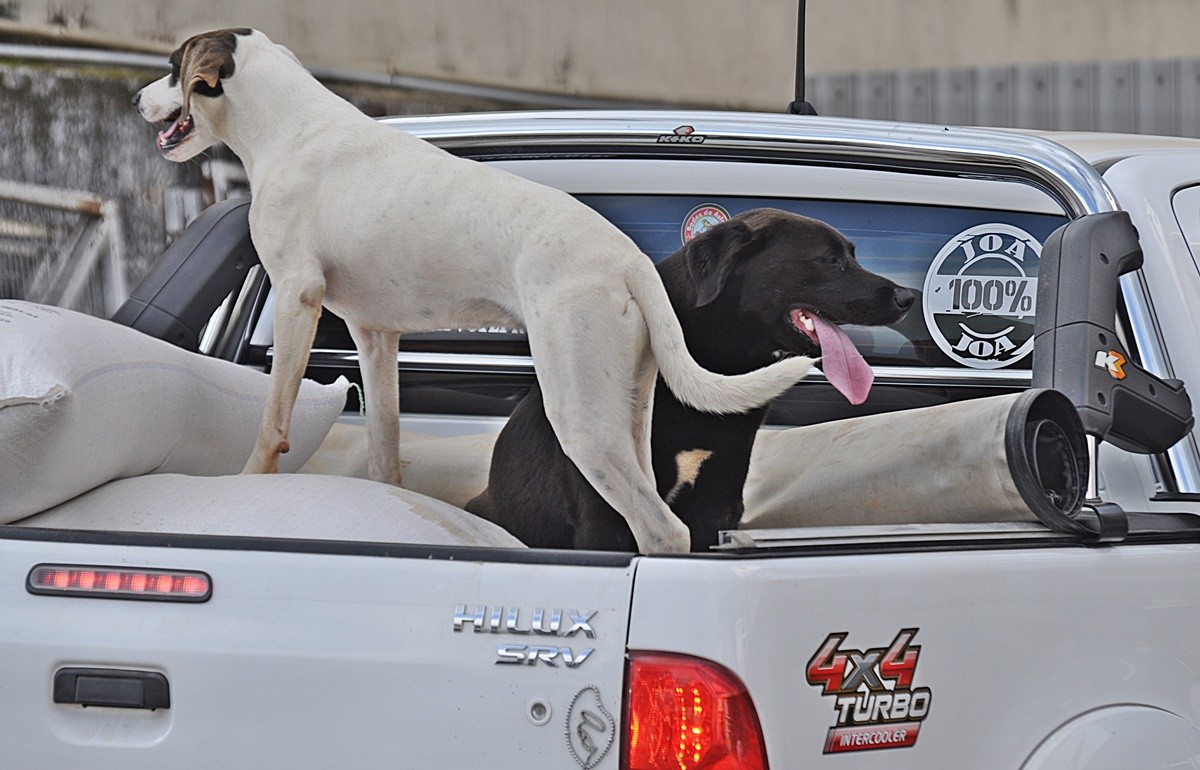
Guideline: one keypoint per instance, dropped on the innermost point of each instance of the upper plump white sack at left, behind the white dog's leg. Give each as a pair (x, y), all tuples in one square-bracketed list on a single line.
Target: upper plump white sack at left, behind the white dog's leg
[(85, 401)]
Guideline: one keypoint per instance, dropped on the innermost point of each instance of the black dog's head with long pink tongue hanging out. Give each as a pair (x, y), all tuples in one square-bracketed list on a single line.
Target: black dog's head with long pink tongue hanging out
[(794, 281)]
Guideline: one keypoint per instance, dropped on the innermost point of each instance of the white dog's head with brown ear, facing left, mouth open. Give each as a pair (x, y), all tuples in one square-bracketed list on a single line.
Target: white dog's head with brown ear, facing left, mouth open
[(193, 100)]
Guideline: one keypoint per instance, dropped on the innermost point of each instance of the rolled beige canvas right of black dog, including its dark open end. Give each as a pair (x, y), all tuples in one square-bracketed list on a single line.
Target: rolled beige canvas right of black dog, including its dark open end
[(1009, 459)]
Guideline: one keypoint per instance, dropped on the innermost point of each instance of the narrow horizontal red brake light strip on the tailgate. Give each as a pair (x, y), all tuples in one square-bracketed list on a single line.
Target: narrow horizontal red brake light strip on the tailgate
[(169, 586)]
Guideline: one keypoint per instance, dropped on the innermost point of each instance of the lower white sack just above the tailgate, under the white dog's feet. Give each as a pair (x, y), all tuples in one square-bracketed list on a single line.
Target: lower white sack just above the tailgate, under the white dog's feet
[(303, 507)]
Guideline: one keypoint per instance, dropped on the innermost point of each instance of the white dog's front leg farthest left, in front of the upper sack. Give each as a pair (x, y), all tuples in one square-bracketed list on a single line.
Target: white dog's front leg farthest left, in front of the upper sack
[(297, 310)]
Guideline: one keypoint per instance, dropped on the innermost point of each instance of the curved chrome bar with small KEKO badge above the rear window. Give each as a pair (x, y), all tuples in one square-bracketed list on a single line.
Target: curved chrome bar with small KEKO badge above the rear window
[(923, 148)]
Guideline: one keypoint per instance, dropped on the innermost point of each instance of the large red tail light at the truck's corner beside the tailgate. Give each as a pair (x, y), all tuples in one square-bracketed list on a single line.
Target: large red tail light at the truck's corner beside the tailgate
[(688, 714)]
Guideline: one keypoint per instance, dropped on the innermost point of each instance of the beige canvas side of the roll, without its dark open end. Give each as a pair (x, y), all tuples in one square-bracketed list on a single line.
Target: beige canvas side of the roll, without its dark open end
[(939, 465)]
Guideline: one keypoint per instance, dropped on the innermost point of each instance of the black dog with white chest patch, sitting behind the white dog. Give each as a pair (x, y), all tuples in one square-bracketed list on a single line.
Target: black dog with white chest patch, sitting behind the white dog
[(763, 285)]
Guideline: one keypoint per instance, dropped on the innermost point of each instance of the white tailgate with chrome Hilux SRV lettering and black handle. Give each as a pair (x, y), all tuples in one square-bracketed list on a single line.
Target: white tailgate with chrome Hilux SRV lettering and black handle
[(320, 659)]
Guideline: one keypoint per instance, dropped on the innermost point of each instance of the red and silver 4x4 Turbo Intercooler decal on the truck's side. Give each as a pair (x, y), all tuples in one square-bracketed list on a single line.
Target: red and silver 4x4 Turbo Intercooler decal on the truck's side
[(875, 703)]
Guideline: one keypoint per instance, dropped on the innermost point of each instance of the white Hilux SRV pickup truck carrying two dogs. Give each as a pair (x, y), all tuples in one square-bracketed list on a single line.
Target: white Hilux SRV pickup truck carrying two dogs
[(910, 635)]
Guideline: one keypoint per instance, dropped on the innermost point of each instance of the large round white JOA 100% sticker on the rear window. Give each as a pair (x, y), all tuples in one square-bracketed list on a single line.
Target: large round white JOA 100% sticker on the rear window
[(981, 296)]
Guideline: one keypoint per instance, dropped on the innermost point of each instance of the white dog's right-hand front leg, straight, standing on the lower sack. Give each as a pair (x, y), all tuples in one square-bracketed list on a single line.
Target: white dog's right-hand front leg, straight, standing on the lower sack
[(381, 383)]
